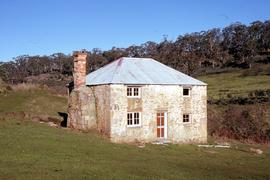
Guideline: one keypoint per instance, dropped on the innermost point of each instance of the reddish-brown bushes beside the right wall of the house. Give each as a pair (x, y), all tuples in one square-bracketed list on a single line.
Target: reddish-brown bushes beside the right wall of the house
[(242, 123)]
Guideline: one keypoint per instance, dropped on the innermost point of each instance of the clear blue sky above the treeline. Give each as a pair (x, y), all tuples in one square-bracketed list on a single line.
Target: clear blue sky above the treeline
[(44, 27)]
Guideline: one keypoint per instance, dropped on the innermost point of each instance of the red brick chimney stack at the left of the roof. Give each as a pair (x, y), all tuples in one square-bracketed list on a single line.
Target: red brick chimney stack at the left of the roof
[(80, 68)]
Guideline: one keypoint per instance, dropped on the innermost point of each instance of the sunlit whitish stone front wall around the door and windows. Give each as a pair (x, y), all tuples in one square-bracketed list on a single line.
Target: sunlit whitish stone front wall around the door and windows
[(156, 98)]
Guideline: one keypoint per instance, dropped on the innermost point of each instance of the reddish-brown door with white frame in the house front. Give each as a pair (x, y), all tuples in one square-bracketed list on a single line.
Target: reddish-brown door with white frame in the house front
[(161, 124)]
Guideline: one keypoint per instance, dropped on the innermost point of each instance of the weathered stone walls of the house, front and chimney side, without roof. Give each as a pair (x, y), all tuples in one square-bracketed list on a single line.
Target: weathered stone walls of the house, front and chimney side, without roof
[(105, 108)]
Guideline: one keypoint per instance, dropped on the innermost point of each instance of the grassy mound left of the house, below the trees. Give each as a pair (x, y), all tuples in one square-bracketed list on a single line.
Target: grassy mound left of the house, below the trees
[(28, 102)]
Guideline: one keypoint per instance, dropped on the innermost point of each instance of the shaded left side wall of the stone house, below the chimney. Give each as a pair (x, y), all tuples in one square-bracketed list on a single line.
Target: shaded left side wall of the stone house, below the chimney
[(89, 108)]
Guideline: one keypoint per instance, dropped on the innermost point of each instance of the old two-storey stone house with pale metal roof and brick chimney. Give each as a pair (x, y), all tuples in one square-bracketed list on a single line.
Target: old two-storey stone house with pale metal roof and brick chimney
[(138, 100)]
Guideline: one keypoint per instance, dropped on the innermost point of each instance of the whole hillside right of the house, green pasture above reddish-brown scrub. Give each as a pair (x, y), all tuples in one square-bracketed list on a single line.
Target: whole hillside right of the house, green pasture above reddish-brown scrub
[(239, 105)]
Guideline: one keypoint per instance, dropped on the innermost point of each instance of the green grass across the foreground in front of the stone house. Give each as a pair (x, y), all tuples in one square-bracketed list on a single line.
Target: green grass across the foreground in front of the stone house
[(37, 151)]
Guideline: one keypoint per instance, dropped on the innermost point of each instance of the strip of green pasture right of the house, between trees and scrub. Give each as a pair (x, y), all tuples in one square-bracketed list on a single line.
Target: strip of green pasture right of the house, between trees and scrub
[(219, 85)]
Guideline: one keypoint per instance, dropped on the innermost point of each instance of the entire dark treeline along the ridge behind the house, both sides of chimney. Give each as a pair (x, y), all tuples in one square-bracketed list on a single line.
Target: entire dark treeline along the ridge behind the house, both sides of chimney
[(237, 45)]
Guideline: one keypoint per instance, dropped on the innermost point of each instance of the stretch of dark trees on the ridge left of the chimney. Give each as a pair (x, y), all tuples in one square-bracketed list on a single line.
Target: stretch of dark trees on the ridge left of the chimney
[(21, 67)]
